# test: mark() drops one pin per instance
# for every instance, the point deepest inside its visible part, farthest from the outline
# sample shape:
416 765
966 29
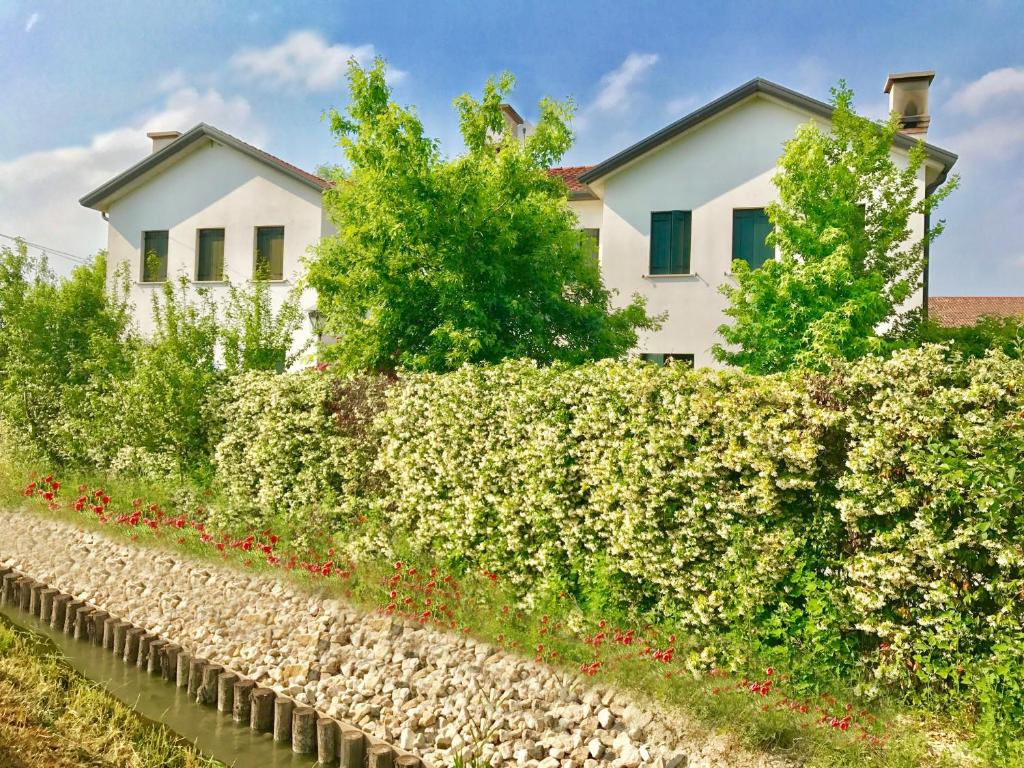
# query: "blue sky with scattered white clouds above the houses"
81 83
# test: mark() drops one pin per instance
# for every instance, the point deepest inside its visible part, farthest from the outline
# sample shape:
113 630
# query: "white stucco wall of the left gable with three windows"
216 187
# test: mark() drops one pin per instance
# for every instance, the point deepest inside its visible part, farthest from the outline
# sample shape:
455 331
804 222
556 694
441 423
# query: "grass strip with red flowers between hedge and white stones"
780 722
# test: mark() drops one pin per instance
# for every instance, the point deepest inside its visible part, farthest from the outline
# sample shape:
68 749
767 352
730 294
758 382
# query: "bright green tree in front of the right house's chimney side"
842 226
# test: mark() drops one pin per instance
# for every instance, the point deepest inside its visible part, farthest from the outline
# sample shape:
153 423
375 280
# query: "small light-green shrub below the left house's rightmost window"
254 336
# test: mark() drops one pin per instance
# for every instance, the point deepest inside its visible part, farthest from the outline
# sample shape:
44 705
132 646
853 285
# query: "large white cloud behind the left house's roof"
39 192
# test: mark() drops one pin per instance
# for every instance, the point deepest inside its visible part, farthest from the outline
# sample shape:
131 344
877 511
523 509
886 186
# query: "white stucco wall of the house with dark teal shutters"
723 164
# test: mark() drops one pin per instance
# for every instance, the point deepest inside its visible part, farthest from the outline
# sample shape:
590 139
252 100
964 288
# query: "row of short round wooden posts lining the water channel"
333 743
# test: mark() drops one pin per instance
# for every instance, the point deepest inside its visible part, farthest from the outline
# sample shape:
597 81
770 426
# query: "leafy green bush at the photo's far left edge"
61 343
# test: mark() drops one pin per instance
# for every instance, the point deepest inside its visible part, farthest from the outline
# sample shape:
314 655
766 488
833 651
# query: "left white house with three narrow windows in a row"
216 209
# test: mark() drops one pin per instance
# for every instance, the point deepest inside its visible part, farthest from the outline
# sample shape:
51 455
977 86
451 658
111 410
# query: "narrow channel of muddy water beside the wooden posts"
214 734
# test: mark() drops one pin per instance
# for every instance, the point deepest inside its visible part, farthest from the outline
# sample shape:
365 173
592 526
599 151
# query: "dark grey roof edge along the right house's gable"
757 87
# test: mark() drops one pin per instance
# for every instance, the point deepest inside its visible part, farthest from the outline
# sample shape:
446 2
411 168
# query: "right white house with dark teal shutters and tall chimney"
672 211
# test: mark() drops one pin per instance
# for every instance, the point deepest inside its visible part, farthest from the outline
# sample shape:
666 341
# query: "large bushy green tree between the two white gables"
440 262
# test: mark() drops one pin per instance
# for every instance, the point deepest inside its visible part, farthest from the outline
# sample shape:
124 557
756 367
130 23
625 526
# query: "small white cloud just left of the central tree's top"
306 60
